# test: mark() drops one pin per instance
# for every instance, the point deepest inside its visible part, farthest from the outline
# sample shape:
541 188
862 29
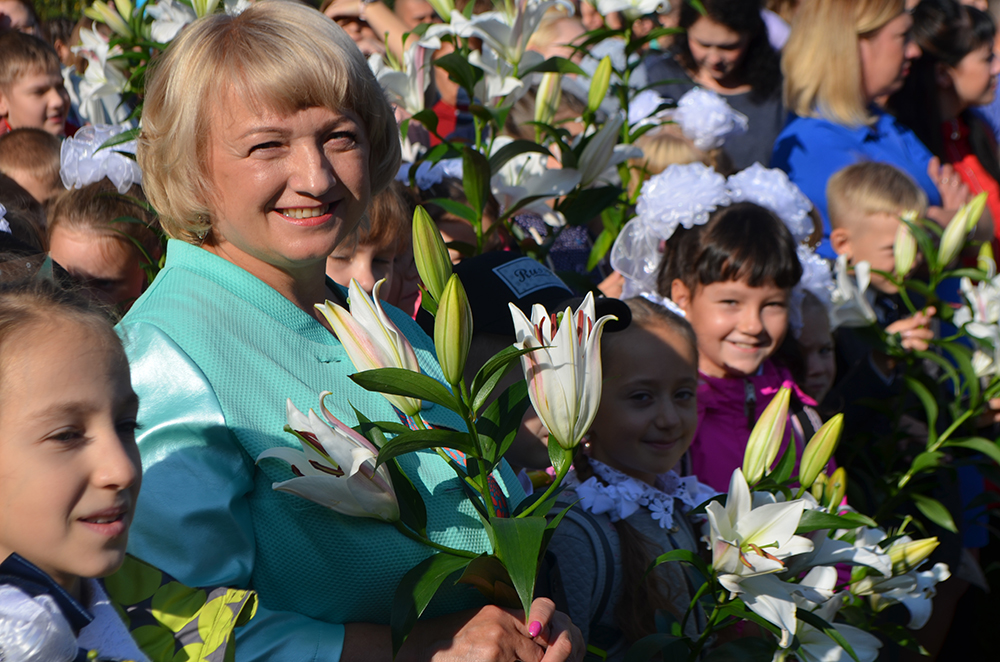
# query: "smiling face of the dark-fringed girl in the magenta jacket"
738 326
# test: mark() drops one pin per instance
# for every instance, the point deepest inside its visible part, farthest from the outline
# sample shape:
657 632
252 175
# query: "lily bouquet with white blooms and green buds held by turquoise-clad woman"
354 470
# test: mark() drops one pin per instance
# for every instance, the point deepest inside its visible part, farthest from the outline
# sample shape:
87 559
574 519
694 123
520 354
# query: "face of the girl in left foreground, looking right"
69 466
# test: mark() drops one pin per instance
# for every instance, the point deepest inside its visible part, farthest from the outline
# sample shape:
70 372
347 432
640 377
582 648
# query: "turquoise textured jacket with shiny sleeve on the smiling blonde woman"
214 353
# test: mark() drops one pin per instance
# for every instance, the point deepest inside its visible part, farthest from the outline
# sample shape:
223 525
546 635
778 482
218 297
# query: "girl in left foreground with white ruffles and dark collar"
69 476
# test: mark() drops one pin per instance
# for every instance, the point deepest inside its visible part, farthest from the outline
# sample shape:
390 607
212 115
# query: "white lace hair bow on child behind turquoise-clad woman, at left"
82 161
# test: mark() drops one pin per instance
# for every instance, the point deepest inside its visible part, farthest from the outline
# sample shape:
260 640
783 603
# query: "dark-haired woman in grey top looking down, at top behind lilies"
727 51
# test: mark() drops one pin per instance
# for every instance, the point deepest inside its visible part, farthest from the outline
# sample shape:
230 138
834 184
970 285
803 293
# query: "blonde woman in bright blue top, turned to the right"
843 56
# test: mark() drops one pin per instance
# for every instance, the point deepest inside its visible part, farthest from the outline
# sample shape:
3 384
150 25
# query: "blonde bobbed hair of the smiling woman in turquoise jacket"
277 55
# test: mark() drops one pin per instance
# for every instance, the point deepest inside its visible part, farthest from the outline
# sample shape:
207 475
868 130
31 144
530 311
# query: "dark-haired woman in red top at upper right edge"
956 72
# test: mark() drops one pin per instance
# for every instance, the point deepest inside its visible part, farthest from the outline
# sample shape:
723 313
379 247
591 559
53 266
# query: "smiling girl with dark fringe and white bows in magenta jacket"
732 276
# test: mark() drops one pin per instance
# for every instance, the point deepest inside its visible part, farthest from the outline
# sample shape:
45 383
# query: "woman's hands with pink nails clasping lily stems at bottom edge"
489 634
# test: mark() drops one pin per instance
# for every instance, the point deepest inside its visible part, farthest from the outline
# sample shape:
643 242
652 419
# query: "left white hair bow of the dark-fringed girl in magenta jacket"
680 196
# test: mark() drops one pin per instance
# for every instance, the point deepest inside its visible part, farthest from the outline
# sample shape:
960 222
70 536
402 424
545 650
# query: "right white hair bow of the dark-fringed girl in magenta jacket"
770 188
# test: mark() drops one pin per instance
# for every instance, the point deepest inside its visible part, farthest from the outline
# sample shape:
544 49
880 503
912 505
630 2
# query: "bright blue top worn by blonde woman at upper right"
811 150
